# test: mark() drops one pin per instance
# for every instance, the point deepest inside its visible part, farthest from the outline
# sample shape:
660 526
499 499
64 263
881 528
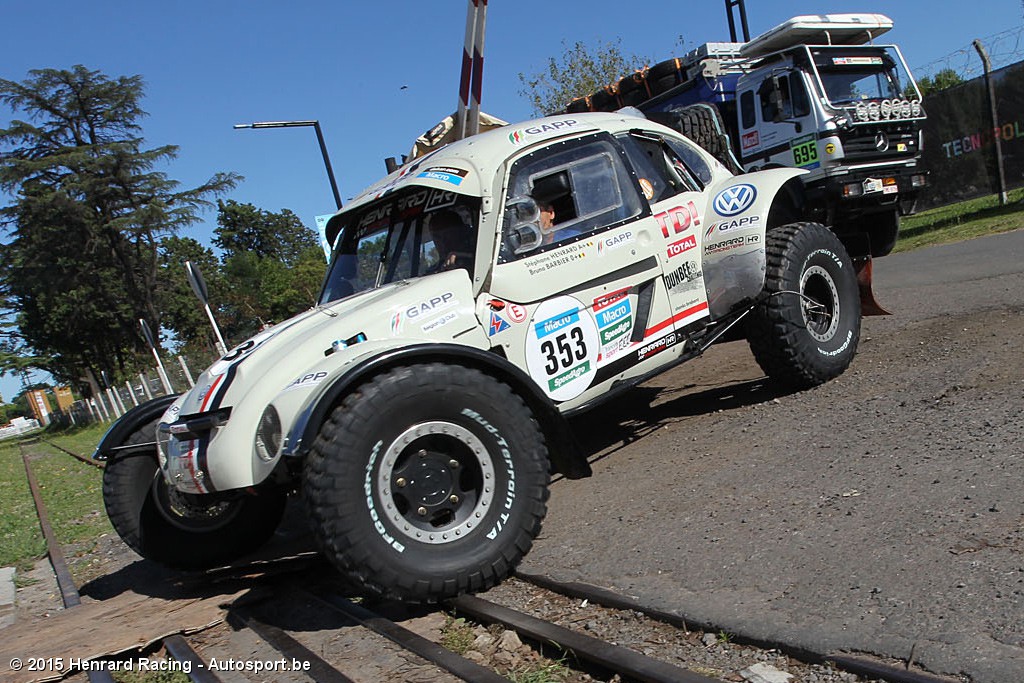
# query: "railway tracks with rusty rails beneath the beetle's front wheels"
297 623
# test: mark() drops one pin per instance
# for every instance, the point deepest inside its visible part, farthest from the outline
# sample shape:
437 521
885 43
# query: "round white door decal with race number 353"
563 348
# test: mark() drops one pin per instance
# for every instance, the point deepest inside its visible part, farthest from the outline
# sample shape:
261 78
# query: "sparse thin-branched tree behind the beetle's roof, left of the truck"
577 73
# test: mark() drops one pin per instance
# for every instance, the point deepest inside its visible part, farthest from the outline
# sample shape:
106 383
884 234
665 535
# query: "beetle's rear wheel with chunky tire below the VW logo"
806 330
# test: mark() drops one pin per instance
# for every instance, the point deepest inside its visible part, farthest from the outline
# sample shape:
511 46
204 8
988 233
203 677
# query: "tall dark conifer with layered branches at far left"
81 266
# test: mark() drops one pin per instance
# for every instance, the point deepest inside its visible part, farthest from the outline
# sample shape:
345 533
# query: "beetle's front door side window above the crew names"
580 187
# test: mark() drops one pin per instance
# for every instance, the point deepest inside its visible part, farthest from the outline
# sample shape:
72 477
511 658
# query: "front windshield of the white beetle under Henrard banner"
414 233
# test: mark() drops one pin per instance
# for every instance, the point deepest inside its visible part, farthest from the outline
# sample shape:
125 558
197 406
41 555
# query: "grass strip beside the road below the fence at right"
964 221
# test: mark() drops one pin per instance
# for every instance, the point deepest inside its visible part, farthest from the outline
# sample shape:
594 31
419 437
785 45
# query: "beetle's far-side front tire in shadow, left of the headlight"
183 531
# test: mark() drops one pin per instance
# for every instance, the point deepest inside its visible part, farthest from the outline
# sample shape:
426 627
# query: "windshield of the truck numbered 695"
855 75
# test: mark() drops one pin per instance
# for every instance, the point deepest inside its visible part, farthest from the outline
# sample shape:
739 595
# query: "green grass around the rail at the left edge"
71 491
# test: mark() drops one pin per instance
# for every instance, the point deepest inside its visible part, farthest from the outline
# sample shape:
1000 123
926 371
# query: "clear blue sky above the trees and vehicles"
215 64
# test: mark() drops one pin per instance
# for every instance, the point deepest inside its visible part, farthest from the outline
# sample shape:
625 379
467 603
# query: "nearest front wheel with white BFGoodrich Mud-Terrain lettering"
429 482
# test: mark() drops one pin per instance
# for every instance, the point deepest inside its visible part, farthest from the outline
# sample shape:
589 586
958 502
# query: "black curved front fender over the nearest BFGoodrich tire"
566 454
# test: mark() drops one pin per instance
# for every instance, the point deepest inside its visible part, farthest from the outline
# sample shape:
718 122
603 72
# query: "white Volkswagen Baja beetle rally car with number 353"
419 408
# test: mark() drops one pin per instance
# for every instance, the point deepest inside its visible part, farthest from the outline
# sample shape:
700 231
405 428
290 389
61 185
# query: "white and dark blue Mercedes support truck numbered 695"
815 93
